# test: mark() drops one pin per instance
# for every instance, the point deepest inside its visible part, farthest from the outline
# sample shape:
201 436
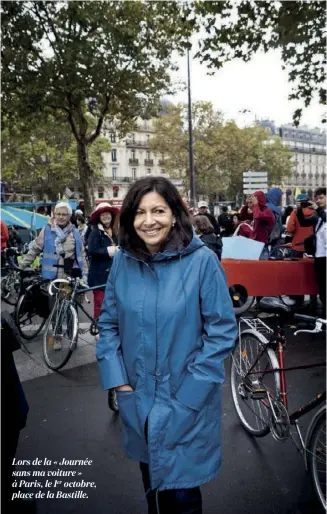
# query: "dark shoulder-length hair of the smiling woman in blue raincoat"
181 233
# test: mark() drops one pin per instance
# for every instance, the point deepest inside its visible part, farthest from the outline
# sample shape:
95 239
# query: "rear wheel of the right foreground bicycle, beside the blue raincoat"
250 391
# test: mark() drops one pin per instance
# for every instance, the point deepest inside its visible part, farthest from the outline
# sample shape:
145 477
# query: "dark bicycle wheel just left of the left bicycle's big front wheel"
28 321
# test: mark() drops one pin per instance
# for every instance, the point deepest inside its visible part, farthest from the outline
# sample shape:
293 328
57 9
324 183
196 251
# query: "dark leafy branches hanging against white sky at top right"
297 28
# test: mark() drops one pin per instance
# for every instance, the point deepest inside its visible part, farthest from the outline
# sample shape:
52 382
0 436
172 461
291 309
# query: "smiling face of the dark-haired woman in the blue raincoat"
153 221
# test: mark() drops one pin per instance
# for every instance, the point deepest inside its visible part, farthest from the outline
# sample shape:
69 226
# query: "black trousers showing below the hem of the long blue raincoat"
173 501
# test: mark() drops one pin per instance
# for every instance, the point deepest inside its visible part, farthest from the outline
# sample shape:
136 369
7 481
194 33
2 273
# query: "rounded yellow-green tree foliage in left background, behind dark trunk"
40 153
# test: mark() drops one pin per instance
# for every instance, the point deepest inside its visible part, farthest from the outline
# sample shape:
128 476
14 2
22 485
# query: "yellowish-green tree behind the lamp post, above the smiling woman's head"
222 150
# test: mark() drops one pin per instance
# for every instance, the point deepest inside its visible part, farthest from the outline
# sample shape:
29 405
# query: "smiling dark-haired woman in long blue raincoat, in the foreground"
166 327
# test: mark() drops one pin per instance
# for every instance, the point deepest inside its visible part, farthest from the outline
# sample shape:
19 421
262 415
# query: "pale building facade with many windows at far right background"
308 147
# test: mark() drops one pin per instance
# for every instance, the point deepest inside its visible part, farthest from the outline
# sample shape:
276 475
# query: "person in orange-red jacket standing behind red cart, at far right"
294 228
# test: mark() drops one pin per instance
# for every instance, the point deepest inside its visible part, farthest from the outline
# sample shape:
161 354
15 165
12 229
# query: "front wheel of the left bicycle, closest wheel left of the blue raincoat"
60 335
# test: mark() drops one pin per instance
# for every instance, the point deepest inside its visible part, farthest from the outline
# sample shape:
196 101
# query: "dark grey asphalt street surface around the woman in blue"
69 418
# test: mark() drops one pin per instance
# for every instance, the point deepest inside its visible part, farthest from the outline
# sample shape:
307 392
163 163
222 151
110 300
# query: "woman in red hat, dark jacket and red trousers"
102 246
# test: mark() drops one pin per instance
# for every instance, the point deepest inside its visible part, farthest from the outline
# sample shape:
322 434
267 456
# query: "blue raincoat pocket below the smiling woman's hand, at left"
132 431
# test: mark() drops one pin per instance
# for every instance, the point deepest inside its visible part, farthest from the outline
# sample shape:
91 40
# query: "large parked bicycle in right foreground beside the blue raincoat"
259 390
